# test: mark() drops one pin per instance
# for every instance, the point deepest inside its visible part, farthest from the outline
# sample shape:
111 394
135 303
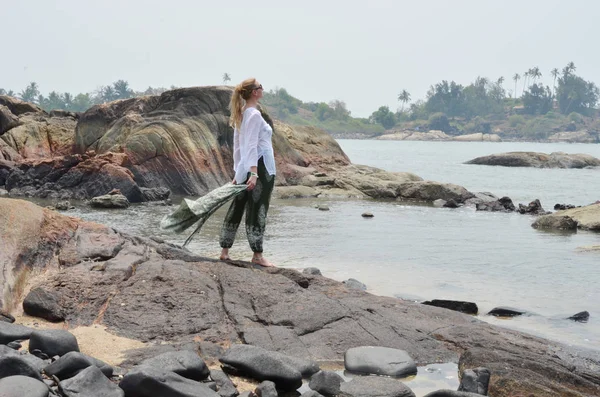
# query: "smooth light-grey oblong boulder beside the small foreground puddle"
379 361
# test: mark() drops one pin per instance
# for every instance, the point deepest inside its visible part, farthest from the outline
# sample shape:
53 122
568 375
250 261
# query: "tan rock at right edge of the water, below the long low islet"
587 218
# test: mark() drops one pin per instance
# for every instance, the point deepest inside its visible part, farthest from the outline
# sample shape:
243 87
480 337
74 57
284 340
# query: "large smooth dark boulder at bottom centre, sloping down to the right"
261 364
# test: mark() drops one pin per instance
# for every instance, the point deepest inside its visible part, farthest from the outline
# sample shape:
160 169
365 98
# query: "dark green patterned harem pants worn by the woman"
256 204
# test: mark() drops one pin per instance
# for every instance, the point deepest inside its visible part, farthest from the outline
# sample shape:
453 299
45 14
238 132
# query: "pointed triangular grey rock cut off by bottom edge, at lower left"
90 382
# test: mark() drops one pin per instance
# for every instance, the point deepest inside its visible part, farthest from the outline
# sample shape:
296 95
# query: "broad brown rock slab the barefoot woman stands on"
151 290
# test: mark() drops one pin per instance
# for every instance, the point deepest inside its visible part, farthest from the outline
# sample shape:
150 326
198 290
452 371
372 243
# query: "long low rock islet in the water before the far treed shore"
538 160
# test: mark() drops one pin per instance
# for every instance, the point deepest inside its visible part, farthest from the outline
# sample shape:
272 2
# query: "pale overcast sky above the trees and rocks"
361 52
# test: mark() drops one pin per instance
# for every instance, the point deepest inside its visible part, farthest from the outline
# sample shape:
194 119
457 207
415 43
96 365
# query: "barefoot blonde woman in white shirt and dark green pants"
254 165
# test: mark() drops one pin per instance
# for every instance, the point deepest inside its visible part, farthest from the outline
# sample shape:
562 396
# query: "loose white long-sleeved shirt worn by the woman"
250 143
